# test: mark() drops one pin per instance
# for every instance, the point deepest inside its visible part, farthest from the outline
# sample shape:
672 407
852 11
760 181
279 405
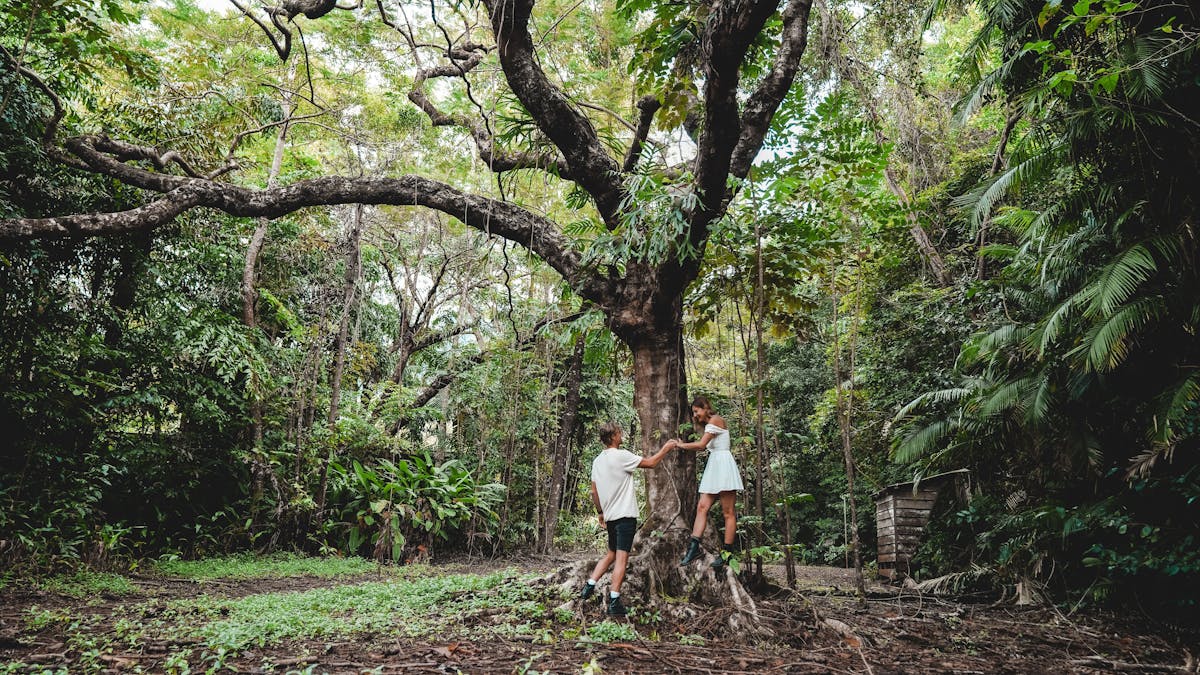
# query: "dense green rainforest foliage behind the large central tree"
970 242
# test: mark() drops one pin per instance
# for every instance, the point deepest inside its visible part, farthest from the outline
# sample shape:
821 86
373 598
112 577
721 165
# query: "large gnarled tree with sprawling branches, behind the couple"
718 68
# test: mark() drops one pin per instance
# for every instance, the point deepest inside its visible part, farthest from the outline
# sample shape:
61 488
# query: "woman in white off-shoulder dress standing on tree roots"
722 480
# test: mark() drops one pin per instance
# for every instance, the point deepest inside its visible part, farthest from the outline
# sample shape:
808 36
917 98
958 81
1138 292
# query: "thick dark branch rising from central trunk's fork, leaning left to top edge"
568 129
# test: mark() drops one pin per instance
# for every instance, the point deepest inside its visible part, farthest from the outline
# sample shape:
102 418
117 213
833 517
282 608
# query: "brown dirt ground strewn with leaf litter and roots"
819 629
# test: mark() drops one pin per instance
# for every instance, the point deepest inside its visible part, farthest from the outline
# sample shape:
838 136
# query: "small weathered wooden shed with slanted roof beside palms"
902 513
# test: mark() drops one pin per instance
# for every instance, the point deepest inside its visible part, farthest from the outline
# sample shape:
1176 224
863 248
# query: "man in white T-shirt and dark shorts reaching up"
613 493
